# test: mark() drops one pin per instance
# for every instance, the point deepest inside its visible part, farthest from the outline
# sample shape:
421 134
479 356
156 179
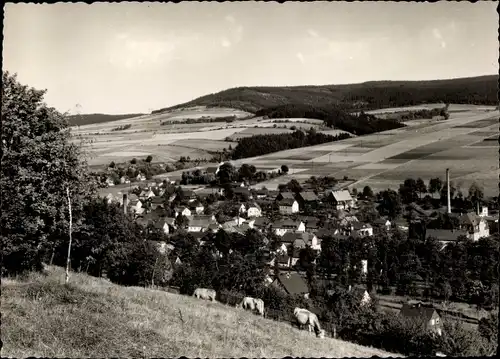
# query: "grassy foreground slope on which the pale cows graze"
95 318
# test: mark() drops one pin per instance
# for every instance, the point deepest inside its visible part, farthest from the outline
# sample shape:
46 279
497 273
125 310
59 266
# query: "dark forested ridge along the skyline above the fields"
363 96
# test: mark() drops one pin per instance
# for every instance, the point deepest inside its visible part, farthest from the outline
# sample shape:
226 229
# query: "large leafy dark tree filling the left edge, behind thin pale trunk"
39 164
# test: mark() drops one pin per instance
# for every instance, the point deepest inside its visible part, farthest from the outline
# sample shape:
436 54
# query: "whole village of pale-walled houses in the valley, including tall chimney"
300 216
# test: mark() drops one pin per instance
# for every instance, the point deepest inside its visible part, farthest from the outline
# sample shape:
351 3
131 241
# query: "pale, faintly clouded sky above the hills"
137 57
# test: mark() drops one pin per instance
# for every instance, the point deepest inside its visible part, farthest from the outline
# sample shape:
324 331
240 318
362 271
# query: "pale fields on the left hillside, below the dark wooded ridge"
167 142
